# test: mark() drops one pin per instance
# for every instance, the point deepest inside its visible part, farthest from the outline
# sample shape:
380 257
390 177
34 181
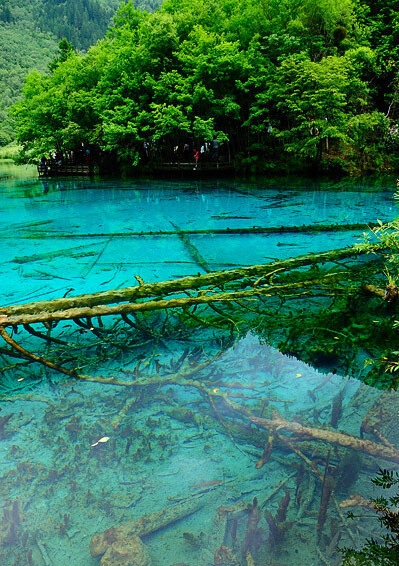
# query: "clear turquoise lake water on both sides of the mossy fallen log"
171 447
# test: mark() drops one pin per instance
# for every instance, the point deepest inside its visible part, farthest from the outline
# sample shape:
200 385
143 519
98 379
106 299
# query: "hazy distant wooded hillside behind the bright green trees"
29 34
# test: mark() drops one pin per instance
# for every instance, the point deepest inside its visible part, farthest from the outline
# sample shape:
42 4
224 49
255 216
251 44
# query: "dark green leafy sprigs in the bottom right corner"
384 552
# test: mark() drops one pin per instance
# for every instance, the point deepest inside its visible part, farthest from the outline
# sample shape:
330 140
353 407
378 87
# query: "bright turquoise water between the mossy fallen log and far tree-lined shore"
84 235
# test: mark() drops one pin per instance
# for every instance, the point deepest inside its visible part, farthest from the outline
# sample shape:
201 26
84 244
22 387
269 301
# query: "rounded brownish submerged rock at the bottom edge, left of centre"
131 552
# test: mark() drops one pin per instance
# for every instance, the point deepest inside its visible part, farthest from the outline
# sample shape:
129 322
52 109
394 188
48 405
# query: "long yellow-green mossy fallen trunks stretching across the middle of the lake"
121 301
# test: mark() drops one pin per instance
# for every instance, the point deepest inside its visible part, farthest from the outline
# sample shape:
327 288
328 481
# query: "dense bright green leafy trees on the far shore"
282 85
